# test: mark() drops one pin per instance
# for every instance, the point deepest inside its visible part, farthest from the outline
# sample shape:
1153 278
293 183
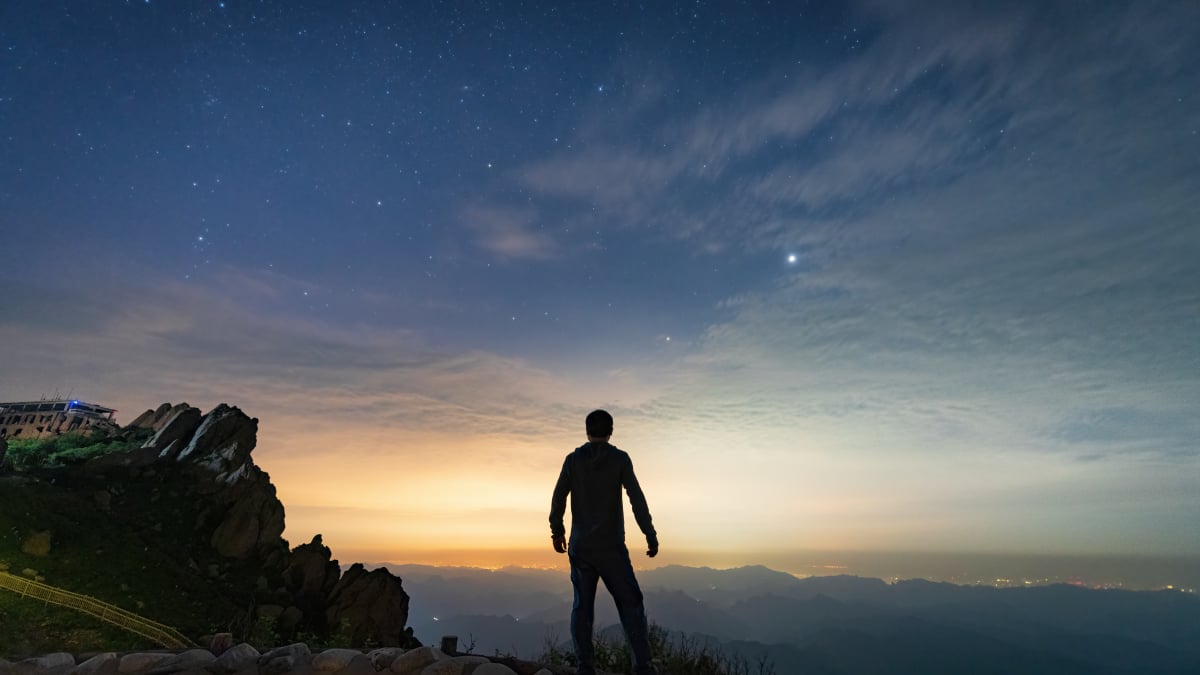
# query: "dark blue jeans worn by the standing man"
615 568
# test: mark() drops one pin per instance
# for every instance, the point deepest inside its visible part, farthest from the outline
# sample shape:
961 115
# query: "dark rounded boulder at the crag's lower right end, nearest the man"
374 605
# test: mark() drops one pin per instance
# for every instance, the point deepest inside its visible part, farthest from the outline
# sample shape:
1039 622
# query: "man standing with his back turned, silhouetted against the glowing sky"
595 475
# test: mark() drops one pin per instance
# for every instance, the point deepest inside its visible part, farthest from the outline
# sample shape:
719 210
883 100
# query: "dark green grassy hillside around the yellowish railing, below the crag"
70 541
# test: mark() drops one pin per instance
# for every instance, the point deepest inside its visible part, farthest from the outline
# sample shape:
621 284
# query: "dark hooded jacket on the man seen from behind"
595 475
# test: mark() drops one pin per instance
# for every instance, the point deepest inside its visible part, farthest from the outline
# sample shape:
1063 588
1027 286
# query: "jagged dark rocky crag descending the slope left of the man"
202 463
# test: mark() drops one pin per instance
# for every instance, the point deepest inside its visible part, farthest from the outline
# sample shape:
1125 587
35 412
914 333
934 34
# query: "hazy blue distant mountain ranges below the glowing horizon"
836 625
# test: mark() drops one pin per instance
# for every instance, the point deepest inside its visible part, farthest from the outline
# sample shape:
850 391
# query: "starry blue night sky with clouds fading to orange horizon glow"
849 277
